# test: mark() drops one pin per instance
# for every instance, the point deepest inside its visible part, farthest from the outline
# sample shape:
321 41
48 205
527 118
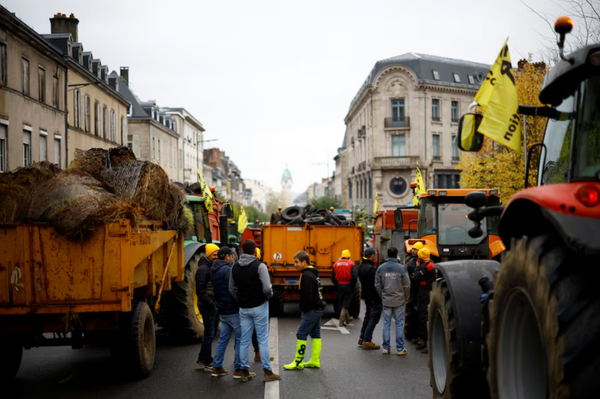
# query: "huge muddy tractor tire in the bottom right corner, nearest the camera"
544 339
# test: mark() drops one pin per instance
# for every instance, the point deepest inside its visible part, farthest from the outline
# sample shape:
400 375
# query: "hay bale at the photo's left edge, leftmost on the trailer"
16 188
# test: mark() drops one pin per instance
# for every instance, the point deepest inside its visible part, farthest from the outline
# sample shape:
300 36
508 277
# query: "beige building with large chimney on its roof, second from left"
97 113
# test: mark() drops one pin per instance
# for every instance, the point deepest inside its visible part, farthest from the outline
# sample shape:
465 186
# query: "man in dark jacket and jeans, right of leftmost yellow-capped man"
229 313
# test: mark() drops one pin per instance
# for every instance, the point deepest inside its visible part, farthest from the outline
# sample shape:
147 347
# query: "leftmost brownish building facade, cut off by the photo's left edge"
33 74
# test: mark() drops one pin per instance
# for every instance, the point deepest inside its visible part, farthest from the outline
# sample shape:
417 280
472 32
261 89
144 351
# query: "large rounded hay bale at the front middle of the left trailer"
75 203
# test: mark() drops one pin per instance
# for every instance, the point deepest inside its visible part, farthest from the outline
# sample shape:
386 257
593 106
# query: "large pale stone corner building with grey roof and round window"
406 113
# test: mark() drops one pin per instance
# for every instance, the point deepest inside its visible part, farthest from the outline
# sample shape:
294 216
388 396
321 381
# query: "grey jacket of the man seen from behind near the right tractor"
392 283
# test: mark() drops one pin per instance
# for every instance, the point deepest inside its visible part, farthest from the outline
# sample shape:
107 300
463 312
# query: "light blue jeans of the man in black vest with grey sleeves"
250 319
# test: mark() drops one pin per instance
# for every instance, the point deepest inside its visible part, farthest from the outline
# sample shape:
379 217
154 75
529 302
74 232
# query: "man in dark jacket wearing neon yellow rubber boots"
312 306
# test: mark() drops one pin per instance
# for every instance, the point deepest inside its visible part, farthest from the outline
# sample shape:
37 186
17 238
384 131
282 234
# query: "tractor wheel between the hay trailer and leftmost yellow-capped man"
180 305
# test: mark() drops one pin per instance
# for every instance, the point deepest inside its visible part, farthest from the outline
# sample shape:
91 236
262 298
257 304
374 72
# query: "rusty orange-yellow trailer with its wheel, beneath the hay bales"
104 290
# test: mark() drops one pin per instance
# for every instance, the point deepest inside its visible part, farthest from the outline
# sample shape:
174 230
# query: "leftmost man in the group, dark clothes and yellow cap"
206 305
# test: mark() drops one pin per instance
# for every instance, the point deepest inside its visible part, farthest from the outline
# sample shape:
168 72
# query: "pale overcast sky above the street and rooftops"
272 80
